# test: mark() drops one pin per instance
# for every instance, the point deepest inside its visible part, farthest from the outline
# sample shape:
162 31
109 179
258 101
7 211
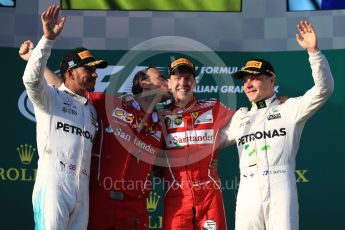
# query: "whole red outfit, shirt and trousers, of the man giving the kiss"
121 163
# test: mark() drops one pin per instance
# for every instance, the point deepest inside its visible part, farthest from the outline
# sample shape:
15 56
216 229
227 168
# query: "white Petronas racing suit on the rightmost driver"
267 139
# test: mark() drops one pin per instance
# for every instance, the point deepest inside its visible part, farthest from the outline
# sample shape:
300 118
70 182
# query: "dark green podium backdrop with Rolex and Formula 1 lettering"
320 159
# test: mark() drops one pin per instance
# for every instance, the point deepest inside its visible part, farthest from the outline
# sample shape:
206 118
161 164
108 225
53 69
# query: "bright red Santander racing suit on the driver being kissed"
193 198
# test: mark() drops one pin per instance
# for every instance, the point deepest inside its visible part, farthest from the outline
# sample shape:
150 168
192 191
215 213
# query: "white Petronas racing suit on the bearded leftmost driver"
66 126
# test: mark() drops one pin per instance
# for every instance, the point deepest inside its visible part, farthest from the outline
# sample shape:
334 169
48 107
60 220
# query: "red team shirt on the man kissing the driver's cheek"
122 155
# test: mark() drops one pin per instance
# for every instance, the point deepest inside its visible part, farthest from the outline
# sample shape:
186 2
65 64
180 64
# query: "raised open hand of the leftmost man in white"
51 24
